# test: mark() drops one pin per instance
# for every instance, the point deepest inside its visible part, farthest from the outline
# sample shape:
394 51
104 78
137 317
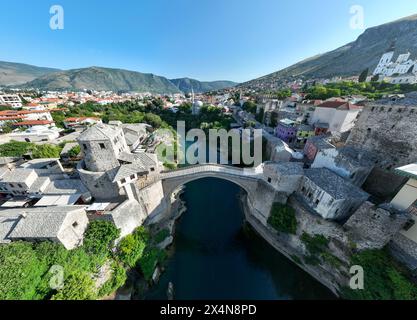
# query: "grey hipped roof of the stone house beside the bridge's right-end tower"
333 184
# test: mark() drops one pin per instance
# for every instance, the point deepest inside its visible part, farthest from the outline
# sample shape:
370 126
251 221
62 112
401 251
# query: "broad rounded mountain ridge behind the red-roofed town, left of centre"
97 78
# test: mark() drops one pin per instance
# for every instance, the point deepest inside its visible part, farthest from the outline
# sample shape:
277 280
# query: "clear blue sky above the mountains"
204 39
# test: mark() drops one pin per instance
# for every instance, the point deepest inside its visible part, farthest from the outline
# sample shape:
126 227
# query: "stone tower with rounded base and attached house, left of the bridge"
109 169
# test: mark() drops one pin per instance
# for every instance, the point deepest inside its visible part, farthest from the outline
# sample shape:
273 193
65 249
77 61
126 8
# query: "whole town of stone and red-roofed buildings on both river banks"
346 163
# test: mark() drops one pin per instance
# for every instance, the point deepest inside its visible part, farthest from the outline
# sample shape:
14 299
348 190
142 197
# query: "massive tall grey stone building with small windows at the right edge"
388 129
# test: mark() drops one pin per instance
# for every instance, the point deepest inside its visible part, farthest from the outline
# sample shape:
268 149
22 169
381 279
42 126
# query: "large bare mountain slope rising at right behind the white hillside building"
352 58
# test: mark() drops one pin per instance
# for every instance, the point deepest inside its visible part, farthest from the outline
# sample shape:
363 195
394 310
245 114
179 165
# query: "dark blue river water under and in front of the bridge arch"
217 256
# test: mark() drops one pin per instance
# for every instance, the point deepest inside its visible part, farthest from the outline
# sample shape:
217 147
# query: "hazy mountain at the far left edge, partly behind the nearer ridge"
18 73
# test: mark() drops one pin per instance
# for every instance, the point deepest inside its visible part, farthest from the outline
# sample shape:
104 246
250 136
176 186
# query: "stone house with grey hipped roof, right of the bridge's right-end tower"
329 195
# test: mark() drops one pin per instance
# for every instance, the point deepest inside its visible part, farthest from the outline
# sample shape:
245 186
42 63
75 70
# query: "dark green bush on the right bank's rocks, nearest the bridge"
283 218
